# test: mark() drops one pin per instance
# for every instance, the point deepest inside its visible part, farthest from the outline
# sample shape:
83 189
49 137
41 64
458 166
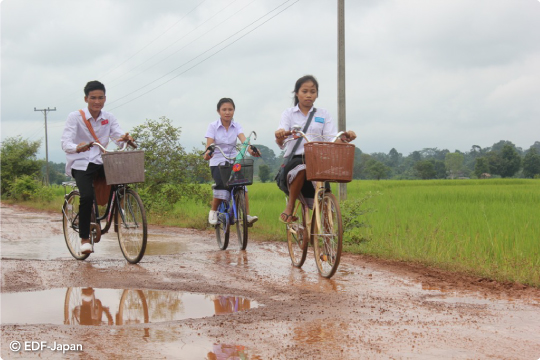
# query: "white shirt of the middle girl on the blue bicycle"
226 139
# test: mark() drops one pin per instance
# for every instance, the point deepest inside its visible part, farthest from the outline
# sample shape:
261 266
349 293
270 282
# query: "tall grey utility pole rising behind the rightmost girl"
342 123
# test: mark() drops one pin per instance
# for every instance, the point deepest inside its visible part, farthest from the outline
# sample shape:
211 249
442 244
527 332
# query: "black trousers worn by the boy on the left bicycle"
84 180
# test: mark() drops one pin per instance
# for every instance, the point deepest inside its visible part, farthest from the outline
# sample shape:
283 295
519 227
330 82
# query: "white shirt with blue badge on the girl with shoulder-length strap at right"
321 124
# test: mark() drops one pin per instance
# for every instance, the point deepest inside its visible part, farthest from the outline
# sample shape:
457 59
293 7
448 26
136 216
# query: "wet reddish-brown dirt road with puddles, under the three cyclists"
189 300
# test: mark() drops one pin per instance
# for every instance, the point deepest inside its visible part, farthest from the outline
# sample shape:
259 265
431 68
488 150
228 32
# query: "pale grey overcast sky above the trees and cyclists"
419 73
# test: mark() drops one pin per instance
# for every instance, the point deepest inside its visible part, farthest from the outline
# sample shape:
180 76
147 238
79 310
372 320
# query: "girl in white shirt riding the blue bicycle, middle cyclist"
224 132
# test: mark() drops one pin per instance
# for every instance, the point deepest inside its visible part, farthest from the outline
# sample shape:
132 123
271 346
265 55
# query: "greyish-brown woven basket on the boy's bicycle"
124 167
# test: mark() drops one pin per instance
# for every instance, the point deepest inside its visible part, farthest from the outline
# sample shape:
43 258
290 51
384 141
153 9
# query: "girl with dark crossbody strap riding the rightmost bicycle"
306 91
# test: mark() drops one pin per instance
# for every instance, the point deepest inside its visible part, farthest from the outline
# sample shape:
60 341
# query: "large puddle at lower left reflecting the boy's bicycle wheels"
90 306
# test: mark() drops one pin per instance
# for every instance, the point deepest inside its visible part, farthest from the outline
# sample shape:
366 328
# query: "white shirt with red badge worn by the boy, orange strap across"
75 132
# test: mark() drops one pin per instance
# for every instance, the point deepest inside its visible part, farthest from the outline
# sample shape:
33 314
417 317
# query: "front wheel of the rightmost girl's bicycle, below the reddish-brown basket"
327 240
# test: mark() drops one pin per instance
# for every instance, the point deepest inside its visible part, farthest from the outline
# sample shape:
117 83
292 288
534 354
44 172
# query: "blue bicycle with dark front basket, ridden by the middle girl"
236 176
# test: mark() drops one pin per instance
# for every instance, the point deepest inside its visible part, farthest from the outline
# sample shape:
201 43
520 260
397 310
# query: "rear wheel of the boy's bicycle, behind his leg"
70 220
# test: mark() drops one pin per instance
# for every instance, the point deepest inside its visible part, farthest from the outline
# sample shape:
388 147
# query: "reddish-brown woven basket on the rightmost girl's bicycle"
327 161
